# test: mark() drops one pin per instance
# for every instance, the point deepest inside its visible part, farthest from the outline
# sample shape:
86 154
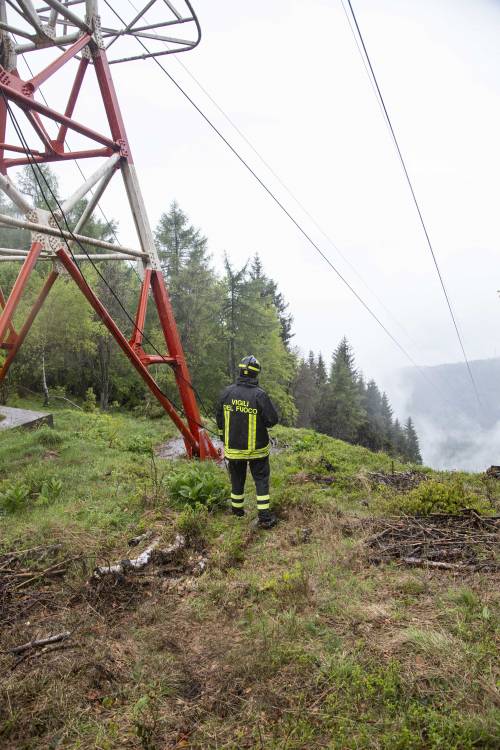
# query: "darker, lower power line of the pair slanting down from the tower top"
279 204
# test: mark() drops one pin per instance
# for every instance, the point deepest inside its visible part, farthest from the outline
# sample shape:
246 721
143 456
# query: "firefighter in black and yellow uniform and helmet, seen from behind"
244 414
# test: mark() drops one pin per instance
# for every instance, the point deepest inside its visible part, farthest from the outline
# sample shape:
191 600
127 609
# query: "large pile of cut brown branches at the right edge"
440 541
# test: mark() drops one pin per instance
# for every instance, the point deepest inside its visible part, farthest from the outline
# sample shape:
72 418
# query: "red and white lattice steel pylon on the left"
72 34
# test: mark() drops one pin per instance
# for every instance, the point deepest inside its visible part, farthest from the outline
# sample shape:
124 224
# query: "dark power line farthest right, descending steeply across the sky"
417 206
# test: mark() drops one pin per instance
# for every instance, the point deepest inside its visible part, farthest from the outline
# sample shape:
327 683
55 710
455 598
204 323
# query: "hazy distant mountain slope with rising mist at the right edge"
454 430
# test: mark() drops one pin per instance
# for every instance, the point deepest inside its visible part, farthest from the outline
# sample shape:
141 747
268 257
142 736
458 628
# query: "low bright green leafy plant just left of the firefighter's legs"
198 484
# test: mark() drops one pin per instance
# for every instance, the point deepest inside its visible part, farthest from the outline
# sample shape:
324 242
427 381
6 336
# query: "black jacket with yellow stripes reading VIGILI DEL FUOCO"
244 414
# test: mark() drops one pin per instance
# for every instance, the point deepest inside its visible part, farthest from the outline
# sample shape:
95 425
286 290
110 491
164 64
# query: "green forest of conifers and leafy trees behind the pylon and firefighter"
221 317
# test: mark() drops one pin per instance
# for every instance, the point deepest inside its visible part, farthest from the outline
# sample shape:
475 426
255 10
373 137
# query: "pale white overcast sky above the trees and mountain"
290 76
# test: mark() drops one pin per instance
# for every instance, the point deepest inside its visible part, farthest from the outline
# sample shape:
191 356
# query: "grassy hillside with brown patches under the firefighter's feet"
290 639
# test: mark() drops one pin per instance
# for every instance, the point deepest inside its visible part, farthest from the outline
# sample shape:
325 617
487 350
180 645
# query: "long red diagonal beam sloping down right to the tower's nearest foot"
189 437
